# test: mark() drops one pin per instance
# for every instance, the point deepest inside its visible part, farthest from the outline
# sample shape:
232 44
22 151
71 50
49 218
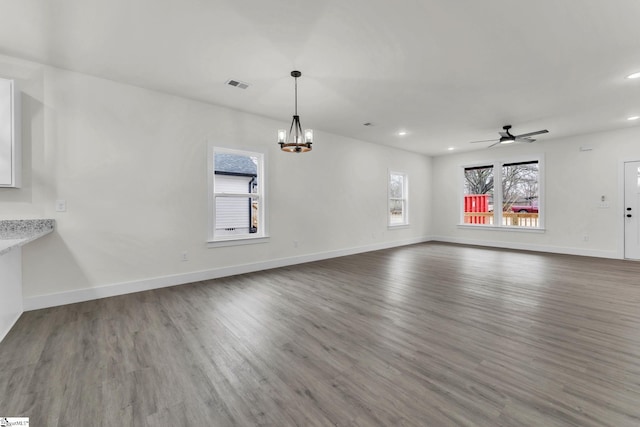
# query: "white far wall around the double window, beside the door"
575 181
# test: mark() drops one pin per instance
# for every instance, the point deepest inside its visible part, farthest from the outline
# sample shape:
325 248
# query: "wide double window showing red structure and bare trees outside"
515 202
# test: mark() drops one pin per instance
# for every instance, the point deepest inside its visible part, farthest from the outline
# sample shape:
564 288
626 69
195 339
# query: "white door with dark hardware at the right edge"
632 210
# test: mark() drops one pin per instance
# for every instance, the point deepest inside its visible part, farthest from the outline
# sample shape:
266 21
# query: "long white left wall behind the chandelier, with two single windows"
131 164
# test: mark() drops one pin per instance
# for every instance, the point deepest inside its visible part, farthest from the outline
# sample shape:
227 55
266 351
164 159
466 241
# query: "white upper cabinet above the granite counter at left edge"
10 159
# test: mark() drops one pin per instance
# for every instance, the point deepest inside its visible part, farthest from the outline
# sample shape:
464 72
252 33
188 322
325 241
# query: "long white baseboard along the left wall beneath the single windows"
70 297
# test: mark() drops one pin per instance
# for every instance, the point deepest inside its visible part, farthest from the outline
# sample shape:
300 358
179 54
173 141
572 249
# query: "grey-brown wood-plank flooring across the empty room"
423 335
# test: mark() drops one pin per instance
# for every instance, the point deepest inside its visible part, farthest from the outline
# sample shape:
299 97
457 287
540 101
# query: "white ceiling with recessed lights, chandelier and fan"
447 71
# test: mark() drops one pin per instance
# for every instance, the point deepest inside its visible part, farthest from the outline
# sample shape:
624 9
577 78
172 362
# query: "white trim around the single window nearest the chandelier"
262 235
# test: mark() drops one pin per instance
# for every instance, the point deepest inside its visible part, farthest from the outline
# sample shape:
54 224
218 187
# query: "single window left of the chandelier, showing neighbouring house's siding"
236 195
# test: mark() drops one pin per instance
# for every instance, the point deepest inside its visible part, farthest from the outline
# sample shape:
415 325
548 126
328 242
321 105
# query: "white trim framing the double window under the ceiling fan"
497 196
